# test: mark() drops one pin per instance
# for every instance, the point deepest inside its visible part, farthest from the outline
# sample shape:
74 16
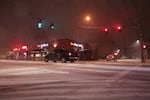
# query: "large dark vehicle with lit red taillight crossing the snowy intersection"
61 55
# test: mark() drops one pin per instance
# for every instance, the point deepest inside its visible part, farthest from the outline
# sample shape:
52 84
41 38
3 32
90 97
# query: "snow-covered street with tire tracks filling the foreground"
57 81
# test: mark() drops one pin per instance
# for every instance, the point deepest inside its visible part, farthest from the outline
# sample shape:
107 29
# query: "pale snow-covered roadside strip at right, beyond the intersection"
124 62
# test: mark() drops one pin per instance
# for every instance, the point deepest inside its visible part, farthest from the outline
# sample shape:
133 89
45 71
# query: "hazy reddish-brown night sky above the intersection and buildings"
19 19
